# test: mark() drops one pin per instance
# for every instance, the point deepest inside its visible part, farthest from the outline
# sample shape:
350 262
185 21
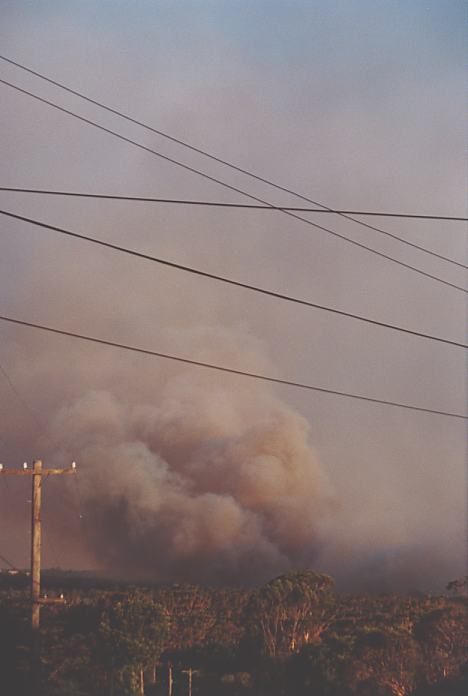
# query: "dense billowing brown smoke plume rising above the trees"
204 482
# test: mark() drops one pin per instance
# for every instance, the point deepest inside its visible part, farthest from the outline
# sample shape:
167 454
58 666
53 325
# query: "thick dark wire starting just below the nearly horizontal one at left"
229 281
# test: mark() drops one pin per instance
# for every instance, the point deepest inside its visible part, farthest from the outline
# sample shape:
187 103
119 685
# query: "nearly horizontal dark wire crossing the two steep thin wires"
220 204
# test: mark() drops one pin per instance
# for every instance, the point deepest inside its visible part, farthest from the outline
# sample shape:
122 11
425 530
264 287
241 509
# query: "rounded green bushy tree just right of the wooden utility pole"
132 633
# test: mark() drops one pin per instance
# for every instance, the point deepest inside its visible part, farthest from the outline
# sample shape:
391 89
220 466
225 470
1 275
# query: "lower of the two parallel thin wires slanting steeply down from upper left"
213 179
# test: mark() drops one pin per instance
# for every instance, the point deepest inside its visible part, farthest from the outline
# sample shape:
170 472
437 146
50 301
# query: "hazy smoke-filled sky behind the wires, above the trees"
186 474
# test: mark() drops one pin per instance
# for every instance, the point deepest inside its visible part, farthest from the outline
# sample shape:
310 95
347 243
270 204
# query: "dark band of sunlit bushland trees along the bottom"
293 636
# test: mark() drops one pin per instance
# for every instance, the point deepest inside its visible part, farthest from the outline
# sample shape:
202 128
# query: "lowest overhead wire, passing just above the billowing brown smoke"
229 370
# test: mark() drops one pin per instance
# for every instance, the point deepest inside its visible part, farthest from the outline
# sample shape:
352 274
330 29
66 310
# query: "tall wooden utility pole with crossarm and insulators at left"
37 472
